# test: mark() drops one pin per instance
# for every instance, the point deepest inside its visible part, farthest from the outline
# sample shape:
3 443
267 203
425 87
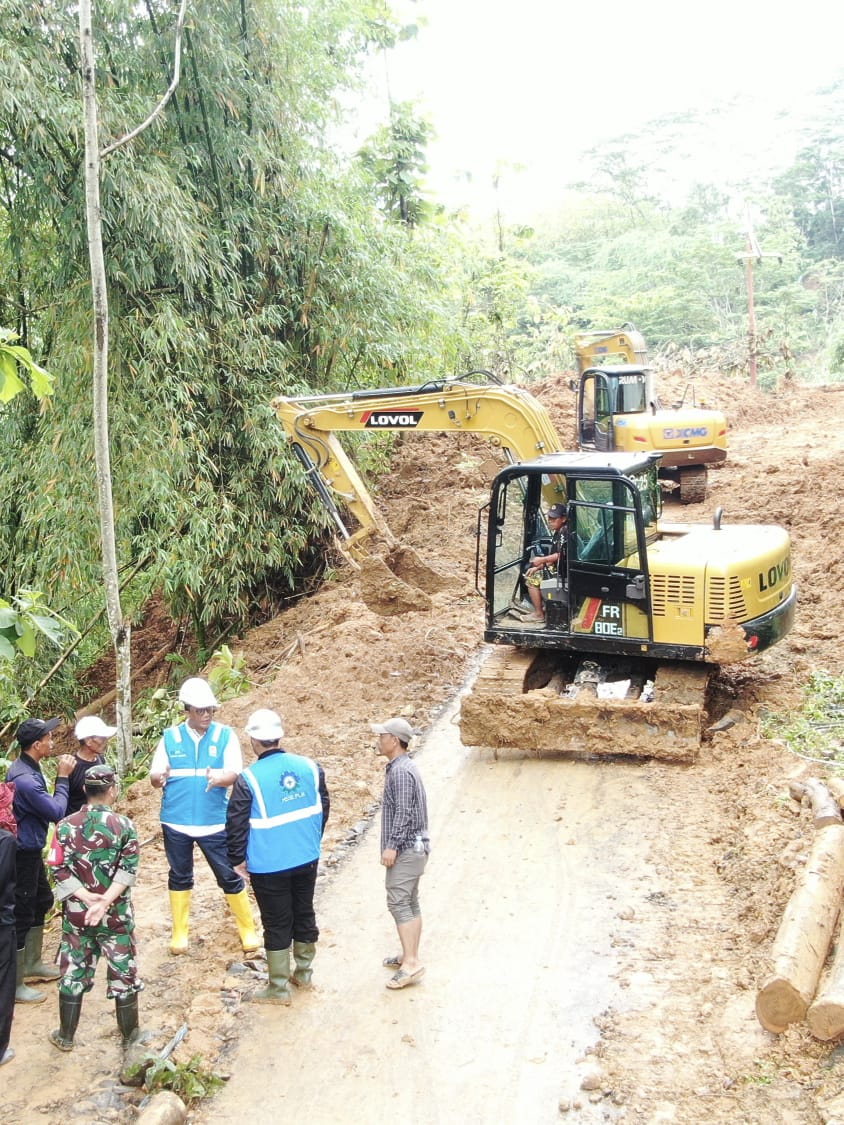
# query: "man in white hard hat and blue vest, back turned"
277 816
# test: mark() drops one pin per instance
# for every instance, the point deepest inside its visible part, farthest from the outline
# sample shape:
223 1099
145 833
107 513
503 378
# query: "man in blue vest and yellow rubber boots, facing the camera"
195 764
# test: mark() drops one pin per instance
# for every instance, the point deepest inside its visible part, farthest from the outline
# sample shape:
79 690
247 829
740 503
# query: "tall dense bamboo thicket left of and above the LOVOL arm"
245 260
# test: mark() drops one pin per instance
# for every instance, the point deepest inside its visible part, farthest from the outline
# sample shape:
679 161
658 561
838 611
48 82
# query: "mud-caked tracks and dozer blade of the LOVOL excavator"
518 703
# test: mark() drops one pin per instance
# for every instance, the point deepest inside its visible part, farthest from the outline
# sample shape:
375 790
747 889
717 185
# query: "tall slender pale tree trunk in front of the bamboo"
118 627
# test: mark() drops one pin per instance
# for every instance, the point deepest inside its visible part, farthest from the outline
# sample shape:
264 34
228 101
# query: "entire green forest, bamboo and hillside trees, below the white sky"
249 256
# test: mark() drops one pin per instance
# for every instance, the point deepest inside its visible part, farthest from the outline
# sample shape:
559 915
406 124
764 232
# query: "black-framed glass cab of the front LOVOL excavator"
599 598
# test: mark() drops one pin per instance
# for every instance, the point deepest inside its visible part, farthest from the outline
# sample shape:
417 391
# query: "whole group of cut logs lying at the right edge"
791 993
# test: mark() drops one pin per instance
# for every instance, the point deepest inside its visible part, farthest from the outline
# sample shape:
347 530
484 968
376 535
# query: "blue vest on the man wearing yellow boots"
186 800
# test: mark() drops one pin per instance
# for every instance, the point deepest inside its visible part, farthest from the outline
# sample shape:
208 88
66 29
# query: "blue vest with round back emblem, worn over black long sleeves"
285 823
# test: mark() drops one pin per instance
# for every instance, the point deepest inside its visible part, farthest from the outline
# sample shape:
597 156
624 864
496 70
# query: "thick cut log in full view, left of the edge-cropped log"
805 934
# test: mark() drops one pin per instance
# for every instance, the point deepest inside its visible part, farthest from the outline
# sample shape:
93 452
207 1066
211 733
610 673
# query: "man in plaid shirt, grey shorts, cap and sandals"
405 848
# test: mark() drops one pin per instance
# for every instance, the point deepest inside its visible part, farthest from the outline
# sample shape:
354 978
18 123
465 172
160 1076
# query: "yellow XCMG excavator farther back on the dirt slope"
618 410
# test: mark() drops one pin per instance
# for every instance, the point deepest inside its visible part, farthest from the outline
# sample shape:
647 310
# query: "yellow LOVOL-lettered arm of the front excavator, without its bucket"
508 416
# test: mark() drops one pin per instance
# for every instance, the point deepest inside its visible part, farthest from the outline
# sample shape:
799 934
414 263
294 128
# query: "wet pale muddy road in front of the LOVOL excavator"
522 905
